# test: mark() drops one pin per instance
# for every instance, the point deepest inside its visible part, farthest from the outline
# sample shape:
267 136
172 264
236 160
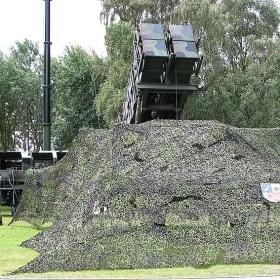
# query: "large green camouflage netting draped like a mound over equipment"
158 194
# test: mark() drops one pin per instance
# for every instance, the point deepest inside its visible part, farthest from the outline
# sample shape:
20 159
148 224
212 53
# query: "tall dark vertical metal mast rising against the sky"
47 79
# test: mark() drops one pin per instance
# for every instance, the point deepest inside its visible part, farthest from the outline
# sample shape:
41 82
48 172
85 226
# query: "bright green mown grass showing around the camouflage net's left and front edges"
12 257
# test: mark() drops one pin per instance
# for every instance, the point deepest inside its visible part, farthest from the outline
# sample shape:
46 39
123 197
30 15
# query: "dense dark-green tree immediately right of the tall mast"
77 77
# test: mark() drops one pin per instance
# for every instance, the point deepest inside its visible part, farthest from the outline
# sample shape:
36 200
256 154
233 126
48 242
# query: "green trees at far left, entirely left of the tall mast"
20 114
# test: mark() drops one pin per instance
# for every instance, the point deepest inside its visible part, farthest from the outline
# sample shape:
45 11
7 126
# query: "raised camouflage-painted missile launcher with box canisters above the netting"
160 79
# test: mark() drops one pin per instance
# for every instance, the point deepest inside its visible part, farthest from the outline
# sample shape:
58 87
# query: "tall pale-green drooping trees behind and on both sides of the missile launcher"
240 45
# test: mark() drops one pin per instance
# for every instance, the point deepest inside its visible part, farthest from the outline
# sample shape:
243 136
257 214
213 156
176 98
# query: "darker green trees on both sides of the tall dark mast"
76 81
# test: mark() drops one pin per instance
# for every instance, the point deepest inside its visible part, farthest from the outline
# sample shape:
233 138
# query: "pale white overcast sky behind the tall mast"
74 22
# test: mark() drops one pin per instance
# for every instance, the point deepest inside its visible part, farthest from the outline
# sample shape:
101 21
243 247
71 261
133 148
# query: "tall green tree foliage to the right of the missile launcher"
234 92
